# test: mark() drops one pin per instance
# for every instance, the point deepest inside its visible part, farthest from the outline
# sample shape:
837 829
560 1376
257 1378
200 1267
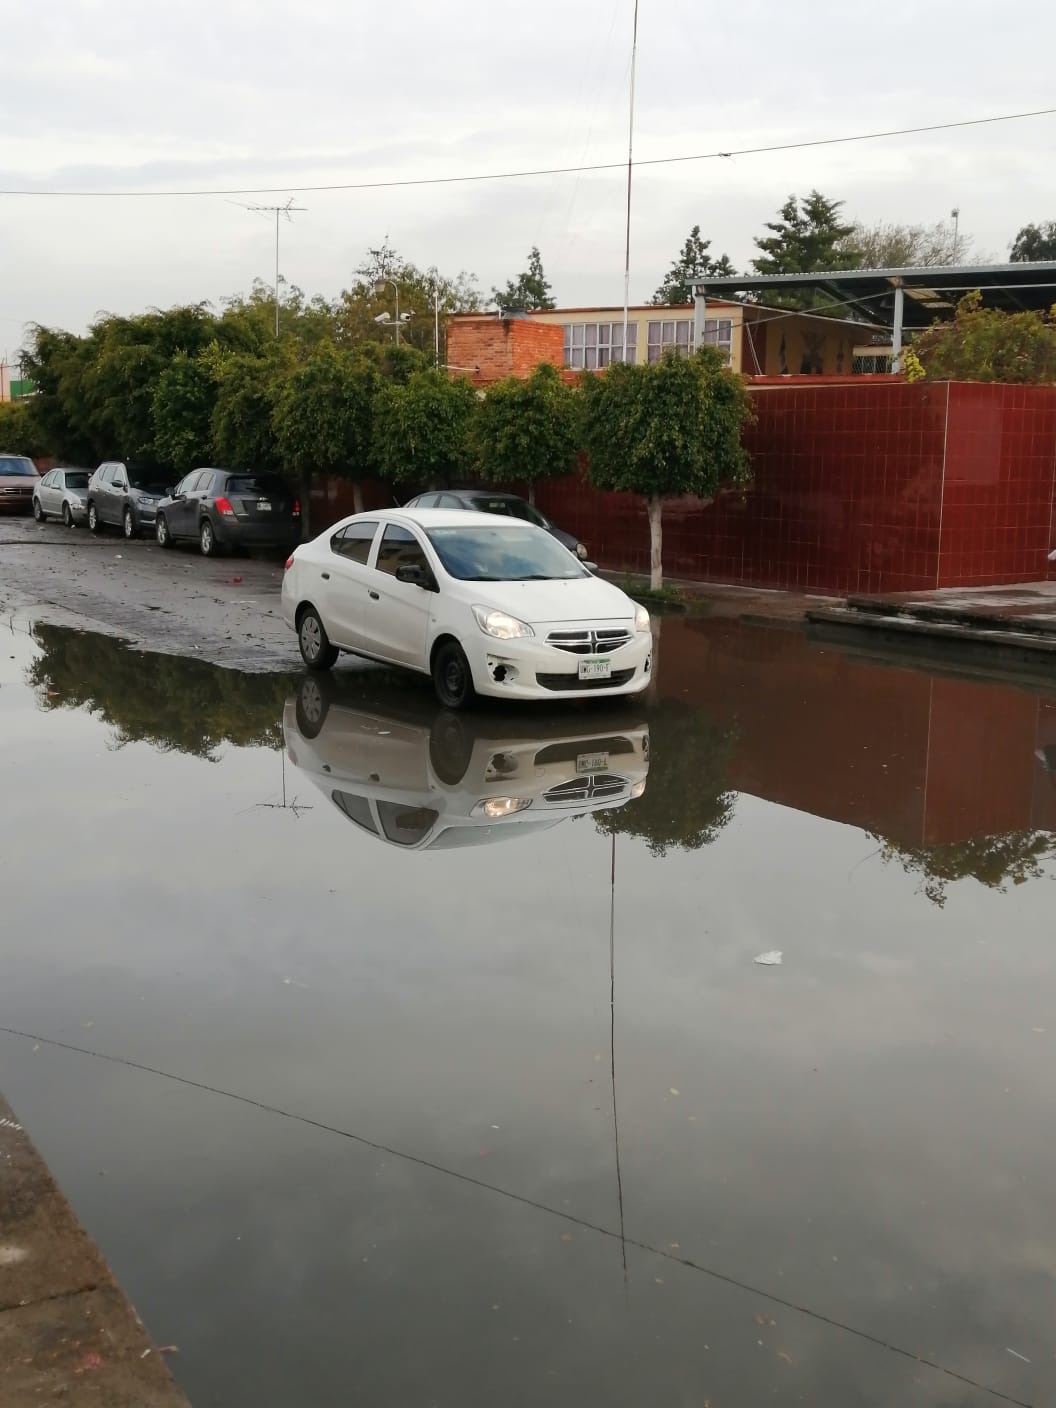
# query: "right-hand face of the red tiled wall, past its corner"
998 505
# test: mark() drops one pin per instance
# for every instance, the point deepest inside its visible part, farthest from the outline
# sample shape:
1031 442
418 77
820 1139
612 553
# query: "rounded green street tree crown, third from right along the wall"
422 429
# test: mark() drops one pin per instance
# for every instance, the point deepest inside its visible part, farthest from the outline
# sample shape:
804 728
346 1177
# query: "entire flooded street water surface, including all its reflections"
403 1058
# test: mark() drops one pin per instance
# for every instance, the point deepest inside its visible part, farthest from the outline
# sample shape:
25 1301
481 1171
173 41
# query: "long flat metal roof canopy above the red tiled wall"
926 295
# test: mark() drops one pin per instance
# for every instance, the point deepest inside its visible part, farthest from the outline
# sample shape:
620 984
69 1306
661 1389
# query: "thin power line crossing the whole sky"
541 171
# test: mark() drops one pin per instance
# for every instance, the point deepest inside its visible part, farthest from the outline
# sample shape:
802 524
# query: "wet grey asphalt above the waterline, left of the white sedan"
223 610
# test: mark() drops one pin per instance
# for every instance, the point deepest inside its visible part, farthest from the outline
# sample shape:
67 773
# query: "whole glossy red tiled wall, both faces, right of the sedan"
848 494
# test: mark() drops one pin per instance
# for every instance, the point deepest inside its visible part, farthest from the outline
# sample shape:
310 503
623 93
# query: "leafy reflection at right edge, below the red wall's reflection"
1009 858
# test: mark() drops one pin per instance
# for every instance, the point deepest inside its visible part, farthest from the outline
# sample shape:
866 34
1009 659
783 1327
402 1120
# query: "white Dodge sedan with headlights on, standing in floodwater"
484 608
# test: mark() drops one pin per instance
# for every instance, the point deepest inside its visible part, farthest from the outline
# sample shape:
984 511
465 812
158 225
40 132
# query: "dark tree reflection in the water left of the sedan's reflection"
165 700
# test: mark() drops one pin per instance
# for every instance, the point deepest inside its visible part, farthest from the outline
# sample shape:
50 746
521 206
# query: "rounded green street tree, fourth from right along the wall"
325 419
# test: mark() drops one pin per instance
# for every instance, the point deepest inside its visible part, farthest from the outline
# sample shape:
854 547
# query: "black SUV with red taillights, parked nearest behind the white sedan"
225 509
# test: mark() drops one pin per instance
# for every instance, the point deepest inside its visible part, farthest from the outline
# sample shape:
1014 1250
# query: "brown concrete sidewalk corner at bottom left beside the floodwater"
67 1330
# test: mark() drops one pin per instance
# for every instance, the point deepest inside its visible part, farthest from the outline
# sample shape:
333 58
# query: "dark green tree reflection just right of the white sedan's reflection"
686 800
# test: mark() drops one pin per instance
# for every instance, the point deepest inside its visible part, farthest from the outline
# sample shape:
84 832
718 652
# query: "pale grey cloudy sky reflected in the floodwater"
862 1131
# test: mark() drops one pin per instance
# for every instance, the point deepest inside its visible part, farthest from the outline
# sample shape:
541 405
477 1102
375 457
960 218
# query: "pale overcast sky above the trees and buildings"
103 95
